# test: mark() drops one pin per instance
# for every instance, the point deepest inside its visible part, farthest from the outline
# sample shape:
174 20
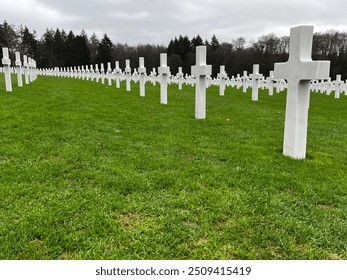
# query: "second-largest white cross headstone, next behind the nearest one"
200 71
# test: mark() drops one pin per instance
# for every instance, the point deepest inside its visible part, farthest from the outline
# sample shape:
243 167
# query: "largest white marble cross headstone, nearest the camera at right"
298 71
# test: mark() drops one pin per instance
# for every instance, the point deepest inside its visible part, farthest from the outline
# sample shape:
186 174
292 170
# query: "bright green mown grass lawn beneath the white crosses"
91 172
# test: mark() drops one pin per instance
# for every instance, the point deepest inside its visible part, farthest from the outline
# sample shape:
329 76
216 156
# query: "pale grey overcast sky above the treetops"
157 21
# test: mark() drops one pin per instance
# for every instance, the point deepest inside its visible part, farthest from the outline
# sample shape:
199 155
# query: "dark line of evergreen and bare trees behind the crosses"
58 48
